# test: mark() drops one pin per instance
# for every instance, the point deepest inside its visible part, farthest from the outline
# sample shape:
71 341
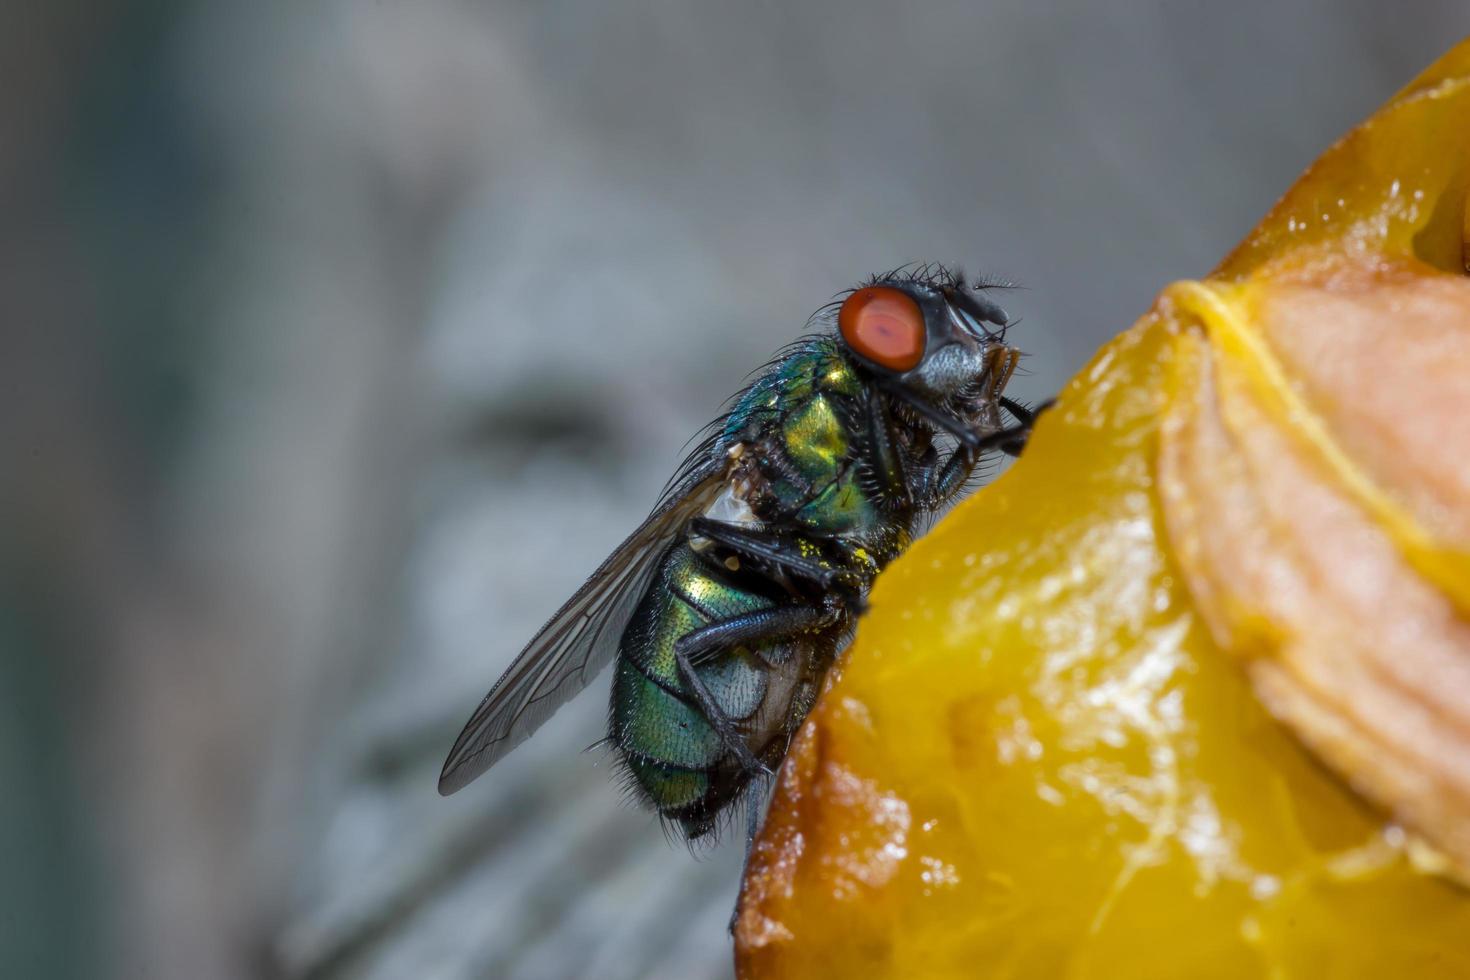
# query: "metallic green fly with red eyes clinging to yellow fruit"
727 606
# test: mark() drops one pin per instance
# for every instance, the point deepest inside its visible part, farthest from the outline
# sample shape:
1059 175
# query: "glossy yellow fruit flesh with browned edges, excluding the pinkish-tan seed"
1037 762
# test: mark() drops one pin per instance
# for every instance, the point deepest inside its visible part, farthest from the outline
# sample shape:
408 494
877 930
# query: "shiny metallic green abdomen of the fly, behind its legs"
675 757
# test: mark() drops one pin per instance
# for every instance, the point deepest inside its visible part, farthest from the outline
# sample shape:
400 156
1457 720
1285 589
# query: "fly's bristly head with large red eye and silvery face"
933 342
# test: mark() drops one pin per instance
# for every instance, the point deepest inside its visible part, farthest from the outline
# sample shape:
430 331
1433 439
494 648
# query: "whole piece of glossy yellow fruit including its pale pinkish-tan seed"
1069 743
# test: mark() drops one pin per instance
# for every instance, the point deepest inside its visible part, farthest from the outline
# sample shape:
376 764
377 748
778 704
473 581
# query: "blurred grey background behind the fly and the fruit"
343 339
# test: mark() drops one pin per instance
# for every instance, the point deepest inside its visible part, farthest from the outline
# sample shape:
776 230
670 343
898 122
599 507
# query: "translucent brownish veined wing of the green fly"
583 635
